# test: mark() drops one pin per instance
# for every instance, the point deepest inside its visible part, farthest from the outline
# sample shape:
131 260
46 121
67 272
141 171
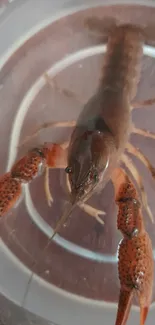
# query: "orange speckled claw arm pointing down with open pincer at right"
135 257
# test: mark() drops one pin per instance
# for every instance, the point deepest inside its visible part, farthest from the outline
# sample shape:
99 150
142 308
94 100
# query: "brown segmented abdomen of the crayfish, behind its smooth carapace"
121 69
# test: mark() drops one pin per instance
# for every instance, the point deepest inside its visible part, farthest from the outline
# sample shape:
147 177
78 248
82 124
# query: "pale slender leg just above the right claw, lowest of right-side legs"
133 170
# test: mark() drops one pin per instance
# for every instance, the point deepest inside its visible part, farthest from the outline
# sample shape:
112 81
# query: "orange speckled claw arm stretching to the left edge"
25 170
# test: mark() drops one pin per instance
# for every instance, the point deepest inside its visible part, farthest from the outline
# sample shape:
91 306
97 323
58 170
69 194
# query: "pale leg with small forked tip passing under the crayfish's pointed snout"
93 212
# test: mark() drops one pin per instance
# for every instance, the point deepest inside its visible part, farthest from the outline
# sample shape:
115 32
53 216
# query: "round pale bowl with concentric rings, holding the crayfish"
76 277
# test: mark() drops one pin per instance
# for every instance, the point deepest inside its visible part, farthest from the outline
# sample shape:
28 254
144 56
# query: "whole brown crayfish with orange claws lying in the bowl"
95 150
